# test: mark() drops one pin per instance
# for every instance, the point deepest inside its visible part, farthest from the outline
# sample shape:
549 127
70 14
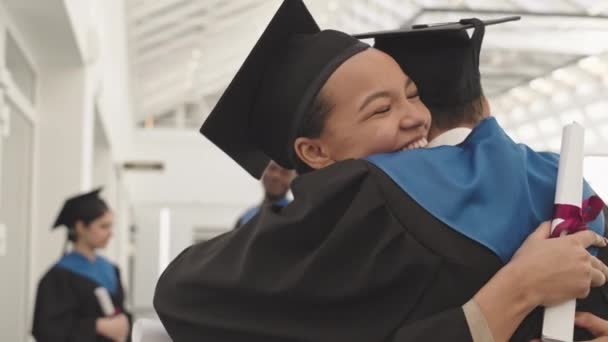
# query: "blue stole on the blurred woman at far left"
100 271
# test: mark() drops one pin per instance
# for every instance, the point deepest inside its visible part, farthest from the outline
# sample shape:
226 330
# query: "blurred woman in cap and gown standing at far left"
68 303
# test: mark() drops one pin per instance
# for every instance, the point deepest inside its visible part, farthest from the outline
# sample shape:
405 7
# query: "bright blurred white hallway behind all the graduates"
112 92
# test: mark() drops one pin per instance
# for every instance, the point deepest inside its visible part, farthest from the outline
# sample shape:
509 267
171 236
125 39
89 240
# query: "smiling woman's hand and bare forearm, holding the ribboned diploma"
543 271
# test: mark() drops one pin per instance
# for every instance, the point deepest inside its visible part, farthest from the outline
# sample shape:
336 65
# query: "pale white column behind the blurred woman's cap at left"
61 156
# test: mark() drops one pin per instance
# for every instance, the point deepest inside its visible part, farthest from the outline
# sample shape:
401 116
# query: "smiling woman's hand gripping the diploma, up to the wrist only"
554 270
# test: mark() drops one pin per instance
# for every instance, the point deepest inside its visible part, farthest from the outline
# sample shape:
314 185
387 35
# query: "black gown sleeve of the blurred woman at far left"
55 313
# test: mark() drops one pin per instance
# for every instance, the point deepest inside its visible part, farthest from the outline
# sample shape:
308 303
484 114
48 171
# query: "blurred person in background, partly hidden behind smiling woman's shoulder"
276 181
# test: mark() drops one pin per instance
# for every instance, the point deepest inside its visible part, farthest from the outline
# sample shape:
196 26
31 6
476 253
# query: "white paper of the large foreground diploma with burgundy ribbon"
558 321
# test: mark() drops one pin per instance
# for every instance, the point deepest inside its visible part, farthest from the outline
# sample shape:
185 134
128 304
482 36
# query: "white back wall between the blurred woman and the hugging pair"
200 186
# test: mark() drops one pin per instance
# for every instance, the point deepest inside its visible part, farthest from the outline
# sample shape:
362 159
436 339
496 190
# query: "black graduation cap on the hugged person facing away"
441 59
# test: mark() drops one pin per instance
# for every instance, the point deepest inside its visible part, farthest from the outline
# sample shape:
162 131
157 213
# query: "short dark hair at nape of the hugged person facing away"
453 116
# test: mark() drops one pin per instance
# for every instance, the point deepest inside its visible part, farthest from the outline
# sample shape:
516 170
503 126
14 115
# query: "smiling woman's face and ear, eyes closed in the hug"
375 108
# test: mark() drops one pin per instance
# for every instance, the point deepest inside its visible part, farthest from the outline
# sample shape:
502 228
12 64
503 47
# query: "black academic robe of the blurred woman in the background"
67 308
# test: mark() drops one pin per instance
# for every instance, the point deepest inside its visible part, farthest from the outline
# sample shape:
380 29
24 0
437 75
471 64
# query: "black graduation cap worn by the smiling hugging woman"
258 116
